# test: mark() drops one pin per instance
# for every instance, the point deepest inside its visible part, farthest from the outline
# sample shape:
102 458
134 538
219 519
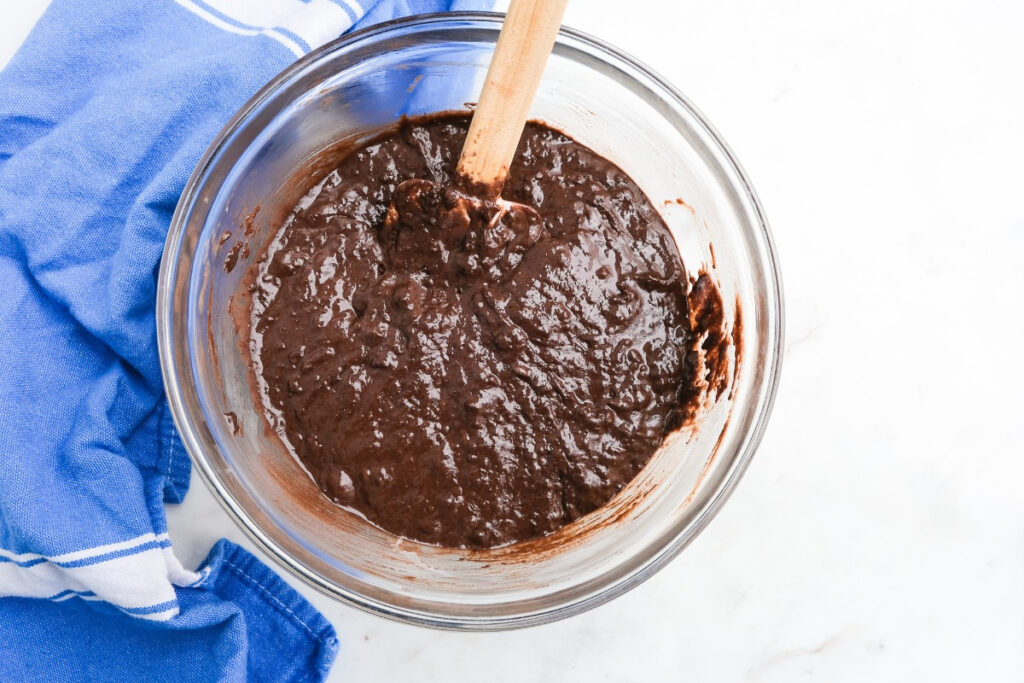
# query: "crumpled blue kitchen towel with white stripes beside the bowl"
104 114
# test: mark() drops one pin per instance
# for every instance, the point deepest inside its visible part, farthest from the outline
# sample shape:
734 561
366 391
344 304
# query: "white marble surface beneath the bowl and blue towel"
879 535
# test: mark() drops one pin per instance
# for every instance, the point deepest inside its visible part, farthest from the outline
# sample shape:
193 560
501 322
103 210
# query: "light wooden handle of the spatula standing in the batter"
524 47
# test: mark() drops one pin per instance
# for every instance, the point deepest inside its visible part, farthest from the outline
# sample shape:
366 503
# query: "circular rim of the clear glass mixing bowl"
180 413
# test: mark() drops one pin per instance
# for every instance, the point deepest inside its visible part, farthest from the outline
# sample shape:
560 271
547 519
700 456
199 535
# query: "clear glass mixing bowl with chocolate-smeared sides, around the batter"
347 92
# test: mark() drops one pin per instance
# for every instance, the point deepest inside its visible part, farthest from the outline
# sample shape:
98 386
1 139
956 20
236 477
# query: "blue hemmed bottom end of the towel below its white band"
239 623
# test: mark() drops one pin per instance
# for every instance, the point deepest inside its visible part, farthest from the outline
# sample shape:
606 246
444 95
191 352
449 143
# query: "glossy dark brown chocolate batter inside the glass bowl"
470 373
